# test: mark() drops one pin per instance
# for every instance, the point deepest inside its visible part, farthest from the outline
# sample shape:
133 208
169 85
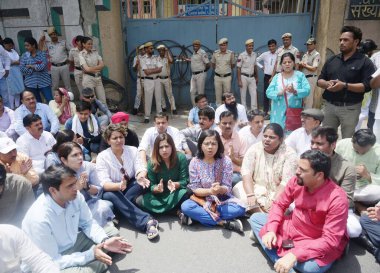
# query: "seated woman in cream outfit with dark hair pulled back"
267 167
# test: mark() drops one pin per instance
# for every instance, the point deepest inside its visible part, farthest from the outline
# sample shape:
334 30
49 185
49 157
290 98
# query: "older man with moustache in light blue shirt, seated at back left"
31 106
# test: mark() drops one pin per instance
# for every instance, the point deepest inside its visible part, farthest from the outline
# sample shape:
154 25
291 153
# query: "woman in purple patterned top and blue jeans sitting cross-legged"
211 180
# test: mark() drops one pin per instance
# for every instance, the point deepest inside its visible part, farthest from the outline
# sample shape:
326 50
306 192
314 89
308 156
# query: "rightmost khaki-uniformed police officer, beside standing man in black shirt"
309 65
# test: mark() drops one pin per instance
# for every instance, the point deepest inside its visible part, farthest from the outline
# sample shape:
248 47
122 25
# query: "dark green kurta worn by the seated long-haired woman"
166 201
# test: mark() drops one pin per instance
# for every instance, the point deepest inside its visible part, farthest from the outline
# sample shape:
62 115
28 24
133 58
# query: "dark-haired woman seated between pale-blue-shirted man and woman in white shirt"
70 154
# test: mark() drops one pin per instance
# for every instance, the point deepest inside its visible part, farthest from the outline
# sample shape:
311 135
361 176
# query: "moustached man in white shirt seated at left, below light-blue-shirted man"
35 142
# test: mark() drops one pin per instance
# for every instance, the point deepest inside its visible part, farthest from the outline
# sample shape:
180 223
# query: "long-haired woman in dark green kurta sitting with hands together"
168 174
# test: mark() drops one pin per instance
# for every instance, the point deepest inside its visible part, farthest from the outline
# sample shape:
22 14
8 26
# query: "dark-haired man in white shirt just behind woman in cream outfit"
253 132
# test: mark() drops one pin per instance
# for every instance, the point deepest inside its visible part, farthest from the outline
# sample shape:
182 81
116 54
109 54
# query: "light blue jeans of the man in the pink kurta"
257 221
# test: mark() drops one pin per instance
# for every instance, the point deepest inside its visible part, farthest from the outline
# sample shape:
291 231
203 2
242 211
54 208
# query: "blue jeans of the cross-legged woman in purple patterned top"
196 212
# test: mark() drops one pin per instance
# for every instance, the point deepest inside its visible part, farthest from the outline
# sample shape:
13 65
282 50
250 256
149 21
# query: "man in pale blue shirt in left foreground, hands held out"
53 221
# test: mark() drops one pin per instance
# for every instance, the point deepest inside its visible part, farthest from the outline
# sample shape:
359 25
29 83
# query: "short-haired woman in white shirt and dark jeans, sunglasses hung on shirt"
120 170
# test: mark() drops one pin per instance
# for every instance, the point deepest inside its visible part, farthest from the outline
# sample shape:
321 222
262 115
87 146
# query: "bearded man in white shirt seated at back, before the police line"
229 103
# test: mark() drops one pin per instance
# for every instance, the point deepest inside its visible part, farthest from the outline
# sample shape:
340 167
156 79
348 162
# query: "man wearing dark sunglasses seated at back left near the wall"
98 108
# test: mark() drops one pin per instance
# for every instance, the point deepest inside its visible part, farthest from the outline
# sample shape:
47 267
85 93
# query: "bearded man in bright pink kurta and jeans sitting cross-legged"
314 235
